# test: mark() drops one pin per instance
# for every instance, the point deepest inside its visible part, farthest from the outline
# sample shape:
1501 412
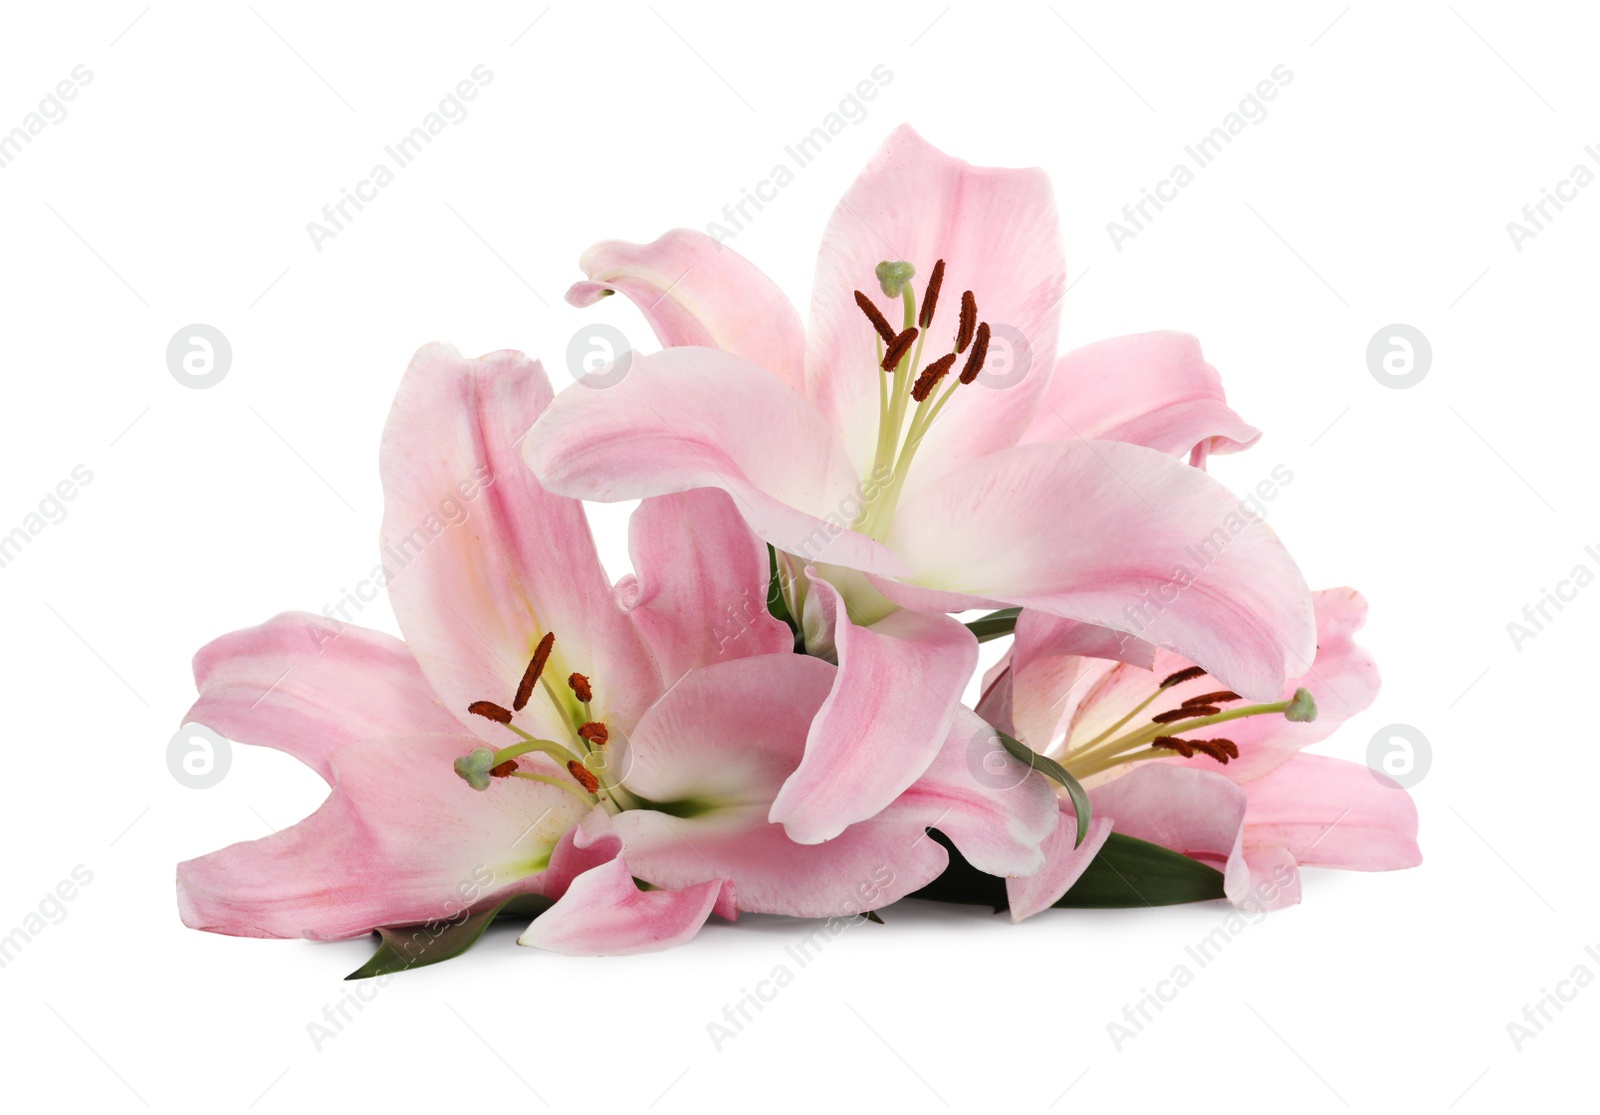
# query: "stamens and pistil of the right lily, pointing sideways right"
1162 735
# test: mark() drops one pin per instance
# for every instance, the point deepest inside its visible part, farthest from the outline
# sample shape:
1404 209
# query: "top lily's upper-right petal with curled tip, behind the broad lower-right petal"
1150 390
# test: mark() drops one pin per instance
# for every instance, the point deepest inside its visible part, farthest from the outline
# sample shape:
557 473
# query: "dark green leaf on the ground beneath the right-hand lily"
1127 873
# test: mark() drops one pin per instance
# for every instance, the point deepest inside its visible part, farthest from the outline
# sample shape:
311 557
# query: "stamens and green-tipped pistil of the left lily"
590 775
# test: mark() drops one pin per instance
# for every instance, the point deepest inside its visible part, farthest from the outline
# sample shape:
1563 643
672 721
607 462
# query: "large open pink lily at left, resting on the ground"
542 732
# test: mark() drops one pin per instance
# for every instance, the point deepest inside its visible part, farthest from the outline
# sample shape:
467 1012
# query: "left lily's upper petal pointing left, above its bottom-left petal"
310 685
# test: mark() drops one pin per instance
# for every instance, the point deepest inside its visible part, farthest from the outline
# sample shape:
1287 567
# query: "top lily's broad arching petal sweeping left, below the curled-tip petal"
698 418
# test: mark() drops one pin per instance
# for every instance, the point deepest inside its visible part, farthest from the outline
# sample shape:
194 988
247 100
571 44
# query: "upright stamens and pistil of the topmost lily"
905 380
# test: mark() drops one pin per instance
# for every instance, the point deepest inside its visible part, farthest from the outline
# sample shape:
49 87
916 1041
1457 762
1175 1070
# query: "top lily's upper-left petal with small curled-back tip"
698 292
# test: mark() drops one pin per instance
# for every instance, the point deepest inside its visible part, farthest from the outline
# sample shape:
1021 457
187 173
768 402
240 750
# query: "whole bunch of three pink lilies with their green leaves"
767 716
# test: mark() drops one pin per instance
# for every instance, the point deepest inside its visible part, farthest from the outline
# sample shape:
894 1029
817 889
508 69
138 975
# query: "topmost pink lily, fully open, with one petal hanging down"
900 489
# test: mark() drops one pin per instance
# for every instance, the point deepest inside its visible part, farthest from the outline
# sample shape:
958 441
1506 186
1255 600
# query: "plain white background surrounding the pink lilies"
1377 191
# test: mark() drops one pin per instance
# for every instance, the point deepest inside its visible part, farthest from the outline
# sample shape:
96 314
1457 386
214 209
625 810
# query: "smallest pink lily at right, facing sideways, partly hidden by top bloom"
1174 757
